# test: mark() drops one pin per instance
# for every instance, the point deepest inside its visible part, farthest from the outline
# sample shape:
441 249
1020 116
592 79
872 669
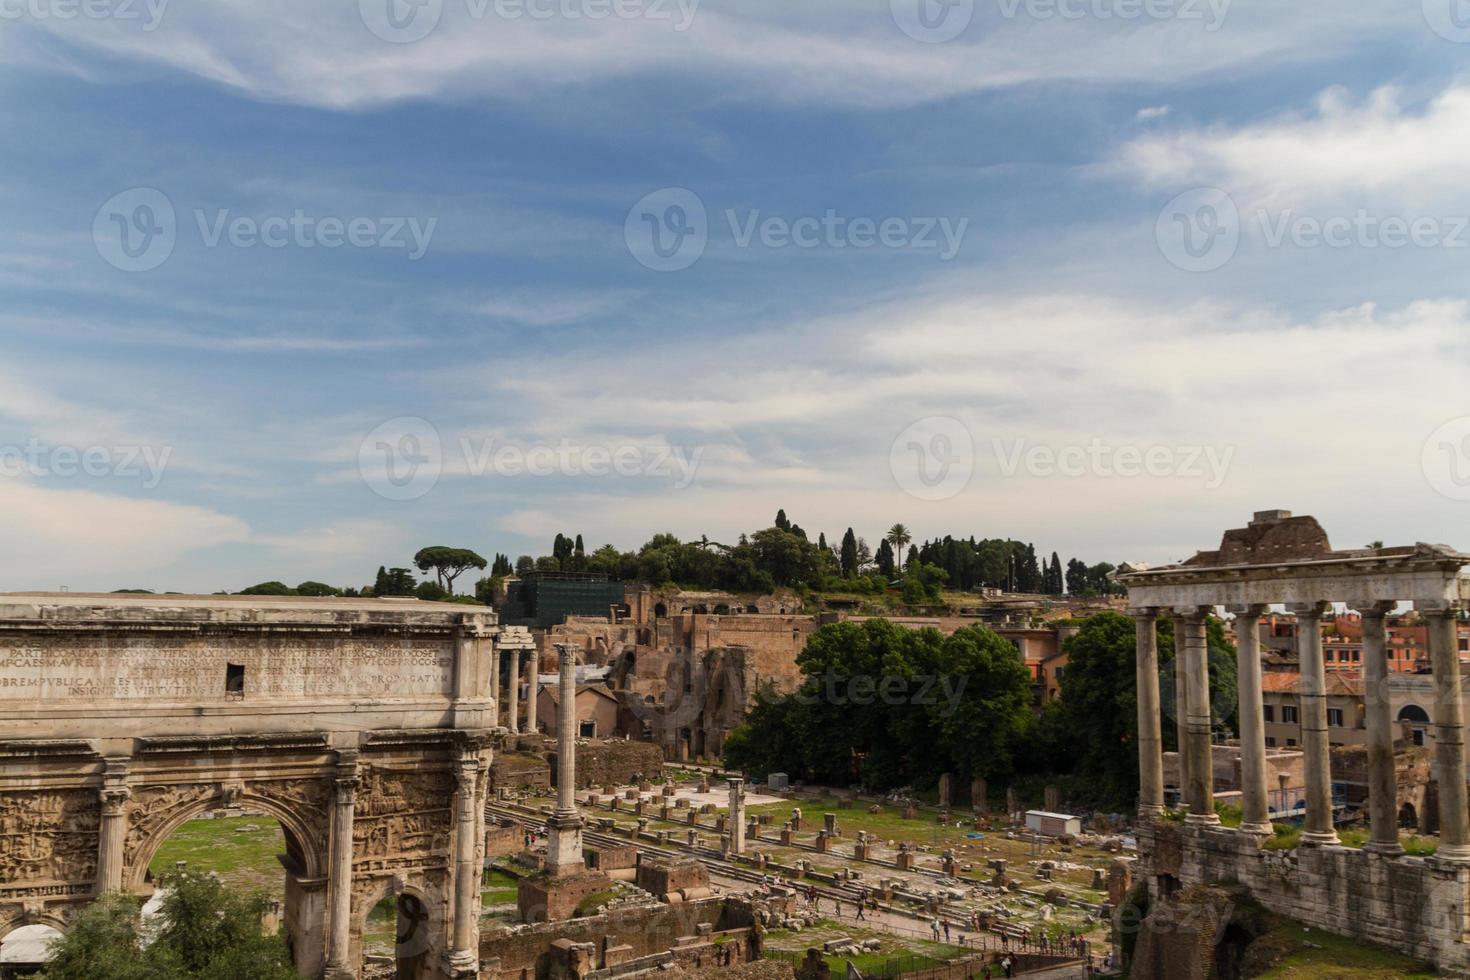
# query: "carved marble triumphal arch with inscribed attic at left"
362 725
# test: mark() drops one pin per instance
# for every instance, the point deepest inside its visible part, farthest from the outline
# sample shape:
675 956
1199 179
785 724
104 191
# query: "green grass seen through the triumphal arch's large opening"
243 859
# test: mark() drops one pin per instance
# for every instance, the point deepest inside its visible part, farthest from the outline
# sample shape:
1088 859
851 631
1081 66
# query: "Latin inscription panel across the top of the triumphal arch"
80 669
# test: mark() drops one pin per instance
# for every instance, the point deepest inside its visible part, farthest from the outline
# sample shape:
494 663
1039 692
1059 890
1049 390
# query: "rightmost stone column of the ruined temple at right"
1450 741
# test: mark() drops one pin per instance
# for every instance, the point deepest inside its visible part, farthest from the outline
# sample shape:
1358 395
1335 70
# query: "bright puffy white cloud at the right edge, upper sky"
1341 149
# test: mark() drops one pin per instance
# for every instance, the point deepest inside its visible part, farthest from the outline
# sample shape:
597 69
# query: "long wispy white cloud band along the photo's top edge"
825 51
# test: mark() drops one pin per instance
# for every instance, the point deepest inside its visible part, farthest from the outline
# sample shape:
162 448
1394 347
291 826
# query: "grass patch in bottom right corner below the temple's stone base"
1294 953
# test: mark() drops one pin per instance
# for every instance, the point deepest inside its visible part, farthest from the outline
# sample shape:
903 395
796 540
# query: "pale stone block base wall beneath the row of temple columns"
1416 906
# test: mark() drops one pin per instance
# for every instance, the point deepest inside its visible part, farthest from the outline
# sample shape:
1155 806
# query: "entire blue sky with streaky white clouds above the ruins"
928 280
